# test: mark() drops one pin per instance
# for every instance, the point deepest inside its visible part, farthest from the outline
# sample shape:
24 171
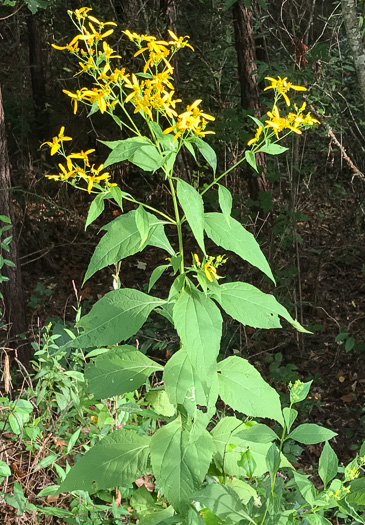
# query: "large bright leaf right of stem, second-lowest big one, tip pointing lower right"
242 388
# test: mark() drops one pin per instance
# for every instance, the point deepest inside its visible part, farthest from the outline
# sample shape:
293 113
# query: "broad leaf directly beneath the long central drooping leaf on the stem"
188 386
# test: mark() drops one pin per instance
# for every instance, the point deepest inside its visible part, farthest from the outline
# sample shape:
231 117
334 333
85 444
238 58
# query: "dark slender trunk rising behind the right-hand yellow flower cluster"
250 94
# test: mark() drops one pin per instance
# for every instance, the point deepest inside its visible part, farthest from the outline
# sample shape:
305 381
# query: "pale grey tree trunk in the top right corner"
357 45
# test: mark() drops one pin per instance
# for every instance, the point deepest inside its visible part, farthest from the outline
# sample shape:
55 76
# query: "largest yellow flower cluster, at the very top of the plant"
154 94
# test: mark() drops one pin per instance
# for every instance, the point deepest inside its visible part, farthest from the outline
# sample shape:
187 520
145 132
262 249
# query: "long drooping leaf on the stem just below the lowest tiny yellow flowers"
199 324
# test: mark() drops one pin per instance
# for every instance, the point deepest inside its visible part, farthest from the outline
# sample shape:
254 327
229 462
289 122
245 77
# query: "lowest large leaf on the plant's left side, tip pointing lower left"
117 460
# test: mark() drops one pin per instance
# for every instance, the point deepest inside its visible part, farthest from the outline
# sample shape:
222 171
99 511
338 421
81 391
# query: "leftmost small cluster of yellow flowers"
87 173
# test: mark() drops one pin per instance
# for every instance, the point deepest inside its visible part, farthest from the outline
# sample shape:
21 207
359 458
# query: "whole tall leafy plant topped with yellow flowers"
202 468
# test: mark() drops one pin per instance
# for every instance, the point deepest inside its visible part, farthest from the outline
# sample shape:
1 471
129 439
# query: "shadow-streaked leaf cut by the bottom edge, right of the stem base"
224 502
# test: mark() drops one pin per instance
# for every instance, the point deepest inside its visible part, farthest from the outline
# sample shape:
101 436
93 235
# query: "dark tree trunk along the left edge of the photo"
12 289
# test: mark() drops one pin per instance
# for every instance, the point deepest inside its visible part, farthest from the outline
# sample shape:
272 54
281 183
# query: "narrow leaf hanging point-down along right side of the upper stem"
193 206
